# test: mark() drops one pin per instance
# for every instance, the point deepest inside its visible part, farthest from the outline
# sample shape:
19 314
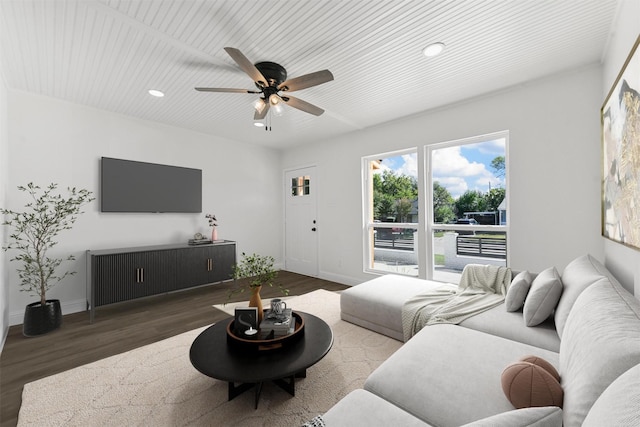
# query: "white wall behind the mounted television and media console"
56 141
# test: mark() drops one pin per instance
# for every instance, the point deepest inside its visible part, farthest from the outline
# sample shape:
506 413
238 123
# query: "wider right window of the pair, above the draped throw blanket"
468 215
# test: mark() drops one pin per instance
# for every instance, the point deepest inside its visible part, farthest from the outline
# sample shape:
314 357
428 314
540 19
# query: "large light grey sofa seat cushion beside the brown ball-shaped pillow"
448 376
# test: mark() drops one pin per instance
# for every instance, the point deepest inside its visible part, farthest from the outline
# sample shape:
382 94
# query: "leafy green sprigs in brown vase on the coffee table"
258 271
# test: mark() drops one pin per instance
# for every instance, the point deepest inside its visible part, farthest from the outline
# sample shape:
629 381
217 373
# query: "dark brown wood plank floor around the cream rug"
118 328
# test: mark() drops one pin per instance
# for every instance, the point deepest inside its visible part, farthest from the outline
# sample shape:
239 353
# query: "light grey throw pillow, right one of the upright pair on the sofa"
543 297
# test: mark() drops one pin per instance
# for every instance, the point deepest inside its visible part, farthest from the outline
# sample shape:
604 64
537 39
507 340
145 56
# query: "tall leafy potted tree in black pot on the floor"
34 233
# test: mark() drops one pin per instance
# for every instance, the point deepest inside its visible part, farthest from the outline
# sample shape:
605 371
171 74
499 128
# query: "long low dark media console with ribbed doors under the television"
116 275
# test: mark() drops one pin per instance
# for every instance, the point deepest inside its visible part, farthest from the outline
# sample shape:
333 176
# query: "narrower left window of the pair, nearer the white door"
391 213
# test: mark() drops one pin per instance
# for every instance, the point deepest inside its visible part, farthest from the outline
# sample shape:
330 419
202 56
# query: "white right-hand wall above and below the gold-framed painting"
621 259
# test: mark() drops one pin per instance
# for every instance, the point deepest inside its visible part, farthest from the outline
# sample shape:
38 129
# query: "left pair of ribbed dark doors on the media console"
121 277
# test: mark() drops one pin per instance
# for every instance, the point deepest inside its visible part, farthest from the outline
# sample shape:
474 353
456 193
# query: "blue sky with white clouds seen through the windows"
458 168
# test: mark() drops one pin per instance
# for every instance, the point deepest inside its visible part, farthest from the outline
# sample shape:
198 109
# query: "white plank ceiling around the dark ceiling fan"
107 53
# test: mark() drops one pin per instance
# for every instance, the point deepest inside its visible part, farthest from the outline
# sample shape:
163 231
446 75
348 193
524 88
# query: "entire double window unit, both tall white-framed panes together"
463 218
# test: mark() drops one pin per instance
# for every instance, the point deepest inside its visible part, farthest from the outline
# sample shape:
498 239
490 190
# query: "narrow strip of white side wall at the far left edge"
4 277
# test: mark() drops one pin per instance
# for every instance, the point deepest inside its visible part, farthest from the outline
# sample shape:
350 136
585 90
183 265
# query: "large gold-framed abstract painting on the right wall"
620 121
